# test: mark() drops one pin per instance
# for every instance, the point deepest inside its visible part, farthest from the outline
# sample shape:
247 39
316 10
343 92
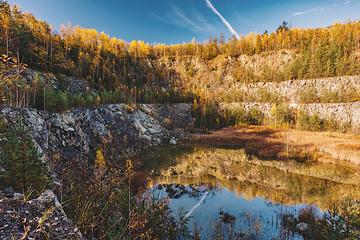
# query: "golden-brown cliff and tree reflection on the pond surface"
287 183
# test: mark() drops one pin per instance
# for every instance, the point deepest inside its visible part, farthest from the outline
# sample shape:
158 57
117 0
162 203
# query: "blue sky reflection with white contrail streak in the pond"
208 204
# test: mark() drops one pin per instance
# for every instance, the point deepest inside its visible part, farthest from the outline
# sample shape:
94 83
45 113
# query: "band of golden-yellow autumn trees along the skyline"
109 62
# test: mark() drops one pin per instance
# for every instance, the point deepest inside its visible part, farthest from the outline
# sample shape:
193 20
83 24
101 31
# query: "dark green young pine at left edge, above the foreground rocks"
20 163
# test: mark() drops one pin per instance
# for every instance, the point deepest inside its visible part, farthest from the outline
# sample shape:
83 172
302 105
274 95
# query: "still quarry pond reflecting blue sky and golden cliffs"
229 193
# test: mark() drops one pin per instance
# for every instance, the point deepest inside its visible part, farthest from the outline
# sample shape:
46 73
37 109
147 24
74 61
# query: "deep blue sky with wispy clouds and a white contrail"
178 21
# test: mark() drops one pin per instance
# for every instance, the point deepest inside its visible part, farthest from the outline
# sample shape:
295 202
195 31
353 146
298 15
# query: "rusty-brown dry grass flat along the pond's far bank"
280 143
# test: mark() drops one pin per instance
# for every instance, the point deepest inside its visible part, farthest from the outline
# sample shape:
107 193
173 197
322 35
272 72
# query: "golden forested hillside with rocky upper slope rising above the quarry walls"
203 73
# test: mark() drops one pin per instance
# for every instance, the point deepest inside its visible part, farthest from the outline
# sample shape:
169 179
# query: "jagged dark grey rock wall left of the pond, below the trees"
71 134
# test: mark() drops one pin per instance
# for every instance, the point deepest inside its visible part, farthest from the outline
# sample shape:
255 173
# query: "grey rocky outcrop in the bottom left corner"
41 218
